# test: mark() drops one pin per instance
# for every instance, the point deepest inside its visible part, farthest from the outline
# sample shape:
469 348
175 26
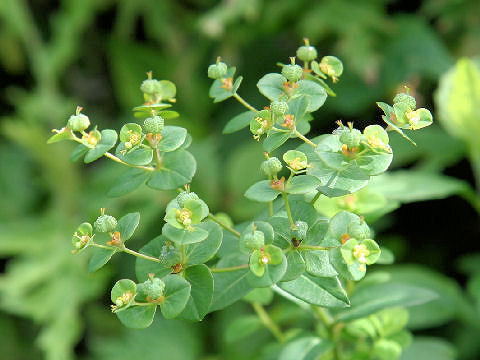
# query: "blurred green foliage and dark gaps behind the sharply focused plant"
55 55
